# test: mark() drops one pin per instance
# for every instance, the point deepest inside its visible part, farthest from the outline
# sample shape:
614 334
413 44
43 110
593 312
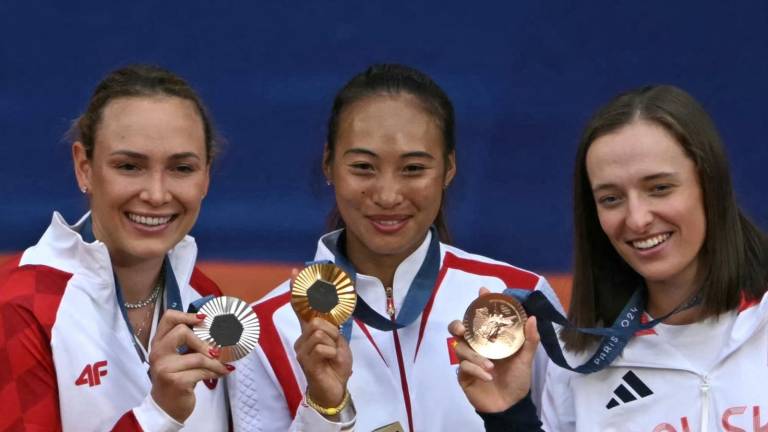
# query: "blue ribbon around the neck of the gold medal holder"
415 300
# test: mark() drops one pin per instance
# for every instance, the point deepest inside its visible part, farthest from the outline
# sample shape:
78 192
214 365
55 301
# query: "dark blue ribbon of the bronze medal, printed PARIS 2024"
614 338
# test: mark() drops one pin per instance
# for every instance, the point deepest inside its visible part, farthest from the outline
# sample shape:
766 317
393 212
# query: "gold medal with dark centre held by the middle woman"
325 291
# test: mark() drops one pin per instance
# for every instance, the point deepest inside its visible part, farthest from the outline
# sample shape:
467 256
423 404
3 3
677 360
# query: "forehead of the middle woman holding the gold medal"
392 122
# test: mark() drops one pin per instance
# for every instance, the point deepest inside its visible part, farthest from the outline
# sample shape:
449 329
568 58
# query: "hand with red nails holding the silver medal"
174 375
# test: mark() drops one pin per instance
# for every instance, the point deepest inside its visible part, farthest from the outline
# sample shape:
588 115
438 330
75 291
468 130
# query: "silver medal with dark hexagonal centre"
230 325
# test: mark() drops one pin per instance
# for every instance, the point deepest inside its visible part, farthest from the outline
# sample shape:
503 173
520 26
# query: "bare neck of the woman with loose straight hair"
665 296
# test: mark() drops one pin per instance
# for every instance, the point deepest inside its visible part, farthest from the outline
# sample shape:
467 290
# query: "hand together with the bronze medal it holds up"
495 327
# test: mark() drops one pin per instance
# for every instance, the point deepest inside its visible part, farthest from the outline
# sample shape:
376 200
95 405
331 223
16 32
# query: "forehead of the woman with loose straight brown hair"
635 151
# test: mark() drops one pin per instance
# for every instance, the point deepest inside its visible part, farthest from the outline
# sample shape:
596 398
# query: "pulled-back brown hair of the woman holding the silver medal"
138 81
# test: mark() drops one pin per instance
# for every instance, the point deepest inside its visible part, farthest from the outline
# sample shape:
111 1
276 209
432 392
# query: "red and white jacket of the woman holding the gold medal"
412 382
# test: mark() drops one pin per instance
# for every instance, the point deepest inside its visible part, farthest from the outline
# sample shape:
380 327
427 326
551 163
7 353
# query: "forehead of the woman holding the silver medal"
153 122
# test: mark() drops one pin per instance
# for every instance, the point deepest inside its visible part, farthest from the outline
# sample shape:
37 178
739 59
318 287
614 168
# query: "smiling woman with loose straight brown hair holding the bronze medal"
664 253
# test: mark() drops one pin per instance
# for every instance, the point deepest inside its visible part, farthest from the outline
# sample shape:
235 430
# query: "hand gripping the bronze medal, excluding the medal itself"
494 386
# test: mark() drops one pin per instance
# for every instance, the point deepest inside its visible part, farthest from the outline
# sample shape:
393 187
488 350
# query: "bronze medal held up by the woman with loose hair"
494 325
